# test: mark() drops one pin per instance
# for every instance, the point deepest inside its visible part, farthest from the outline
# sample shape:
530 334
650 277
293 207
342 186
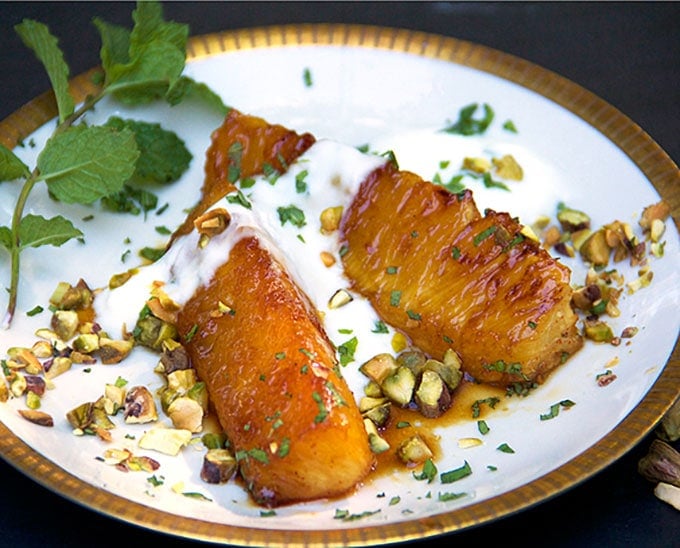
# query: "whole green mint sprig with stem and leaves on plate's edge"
82 163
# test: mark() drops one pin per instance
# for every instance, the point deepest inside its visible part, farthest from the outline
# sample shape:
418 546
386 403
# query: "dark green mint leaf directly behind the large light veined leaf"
163 156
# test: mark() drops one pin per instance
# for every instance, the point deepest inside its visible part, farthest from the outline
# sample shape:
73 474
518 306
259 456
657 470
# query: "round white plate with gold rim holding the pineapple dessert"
391 89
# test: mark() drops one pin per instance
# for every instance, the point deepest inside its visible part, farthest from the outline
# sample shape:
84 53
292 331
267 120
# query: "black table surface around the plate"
626 53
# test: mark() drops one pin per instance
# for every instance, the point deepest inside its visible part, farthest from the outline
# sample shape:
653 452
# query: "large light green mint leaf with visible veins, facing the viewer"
83 164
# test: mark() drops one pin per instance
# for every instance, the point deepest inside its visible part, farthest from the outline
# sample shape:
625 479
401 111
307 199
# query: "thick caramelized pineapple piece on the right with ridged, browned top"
447 277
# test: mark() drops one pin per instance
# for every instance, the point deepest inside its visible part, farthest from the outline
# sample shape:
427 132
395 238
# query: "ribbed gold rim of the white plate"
618 128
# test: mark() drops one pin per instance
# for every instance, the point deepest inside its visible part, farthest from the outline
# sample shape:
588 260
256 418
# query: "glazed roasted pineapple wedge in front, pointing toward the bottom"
273 379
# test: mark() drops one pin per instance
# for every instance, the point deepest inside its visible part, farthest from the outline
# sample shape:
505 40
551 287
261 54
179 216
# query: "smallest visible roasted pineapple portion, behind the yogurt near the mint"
244 146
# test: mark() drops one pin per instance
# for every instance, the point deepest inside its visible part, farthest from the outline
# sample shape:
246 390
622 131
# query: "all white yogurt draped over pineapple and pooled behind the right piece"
327 175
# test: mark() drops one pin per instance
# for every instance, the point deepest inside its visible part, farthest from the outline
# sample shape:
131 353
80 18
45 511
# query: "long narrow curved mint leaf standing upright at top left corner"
37 37
